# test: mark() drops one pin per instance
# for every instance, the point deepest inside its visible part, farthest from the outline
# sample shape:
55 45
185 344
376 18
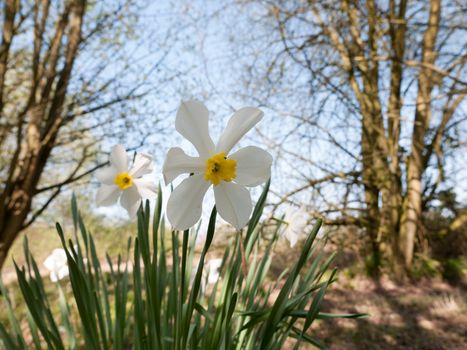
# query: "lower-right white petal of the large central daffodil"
233 203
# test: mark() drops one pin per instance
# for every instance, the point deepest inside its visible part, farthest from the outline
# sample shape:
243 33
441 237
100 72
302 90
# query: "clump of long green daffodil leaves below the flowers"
163 301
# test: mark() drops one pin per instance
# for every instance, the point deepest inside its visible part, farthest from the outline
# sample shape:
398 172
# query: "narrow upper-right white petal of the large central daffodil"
239 124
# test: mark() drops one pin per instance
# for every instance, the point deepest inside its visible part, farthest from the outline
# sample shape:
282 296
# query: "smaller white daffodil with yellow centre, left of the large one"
118 180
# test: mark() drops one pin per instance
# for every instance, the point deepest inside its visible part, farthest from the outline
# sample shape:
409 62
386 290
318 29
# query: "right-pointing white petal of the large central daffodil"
253 166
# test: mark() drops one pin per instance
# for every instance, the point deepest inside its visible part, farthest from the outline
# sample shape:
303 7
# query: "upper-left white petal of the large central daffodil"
192 123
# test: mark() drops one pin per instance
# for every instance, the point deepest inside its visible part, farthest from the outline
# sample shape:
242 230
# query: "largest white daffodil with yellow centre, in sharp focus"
229 174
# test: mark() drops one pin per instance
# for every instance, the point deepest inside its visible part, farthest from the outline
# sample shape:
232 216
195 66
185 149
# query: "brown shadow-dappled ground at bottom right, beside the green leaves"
429 316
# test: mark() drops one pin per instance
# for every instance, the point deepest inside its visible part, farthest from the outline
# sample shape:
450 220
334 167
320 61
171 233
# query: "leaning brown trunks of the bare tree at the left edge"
39 124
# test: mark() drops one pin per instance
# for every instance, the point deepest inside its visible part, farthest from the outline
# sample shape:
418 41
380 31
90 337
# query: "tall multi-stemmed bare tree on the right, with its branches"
374 98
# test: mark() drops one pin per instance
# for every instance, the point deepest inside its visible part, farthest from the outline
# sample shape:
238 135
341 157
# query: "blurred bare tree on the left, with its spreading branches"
70 73
